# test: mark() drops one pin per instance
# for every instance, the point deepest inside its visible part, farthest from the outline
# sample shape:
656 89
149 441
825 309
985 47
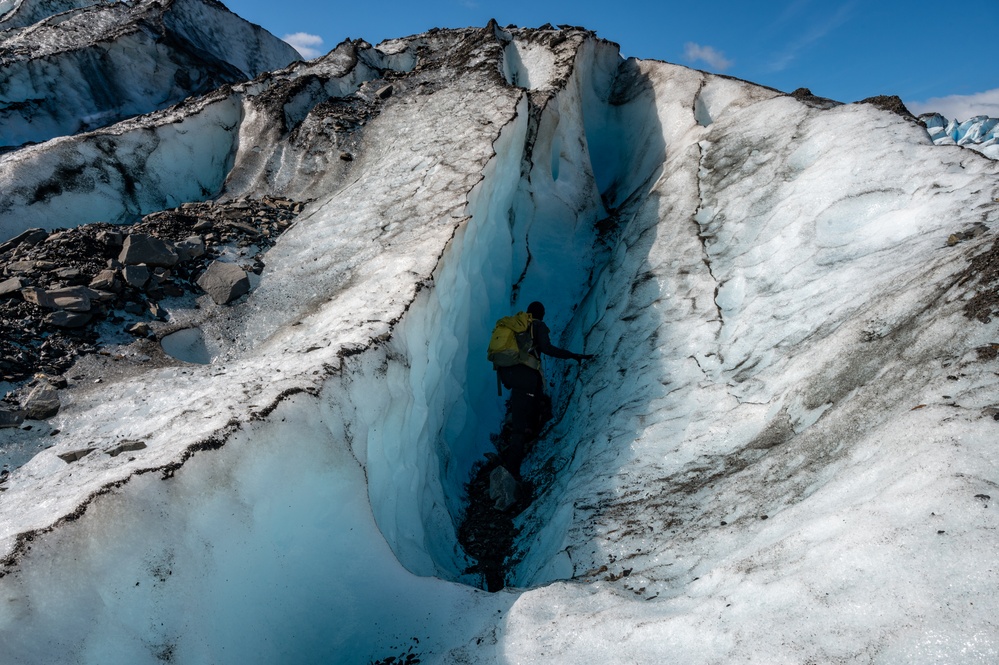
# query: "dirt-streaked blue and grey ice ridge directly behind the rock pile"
236 140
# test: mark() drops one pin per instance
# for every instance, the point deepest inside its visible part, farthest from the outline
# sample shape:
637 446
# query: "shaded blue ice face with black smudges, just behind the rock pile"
117 175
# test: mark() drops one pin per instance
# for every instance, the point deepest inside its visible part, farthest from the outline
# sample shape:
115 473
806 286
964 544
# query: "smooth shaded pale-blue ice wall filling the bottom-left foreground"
264 551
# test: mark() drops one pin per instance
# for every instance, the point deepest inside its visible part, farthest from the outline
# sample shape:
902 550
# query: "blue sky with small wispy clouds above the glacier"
934 55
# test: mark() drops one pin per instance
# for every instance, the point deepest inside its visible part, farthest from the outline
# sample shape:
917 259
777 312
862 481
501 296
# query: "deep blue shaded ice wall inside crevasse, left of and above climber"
532 234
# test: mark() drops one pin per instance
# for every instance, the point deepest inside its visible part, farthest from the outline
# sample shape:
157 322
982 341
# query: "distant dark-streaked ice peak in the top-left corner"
92 65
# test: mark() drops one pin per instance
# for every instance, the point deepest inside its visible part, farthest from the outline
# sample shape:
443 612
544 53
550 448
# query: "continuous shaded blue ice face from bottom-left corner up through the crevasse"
229 560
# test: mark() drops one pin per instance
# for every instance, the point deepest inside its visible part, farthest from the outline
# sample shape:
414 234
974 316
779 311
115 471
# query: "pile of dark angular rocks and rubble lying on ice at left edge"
39 333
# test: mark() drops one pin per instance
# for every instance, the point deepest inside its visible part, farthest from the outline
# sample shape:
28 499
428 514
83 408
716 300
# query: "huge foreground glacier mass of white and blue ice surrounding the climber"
784 450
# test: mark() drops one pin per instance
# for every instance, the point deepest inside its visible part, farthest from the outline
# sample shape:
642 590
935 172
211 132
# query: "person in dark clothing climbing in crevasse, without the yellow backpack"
525 381
